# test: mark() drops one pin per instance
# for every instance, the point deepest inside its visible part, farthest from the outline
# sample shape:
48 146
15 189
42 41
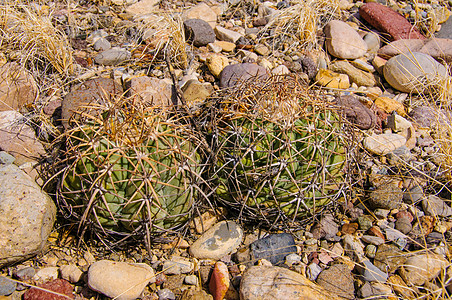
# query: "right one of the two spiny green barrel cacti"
280 153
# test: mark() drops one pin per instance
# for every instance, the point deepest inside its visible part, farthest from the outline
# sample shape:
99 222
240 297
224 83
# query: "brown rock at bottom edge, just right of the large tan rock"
338 280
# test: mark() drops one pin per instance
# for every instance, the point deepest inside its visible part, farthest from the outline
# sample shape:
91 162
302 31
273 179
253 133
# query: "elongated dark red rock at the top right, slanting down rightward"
389 21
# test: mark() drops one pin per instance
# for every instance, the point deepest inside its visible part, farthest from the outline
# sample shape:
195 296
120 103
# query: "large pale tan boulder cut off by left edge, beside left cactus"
26 218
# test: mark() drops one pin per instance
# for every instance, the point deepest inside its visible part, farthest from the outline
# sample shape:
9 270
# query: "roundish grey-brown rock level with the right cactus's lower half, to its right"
386 197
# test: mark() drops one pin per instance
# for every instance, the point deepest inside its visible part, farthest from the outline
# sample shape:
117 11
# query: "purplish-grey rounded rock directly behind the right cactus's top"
238 73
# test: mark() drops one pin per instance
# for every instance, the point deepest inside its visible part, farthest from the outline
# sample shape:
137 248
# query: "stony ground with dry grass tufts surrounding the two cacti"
390 239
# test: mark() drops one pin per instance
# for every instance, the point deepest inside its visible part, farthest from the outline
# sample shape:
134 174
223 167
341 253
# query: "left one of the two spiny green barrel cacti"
130 171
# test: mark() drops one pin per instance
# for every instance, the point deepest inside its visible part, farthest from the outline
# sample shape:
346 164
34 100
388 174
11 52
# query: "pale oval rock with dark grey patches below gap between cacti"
220 240
